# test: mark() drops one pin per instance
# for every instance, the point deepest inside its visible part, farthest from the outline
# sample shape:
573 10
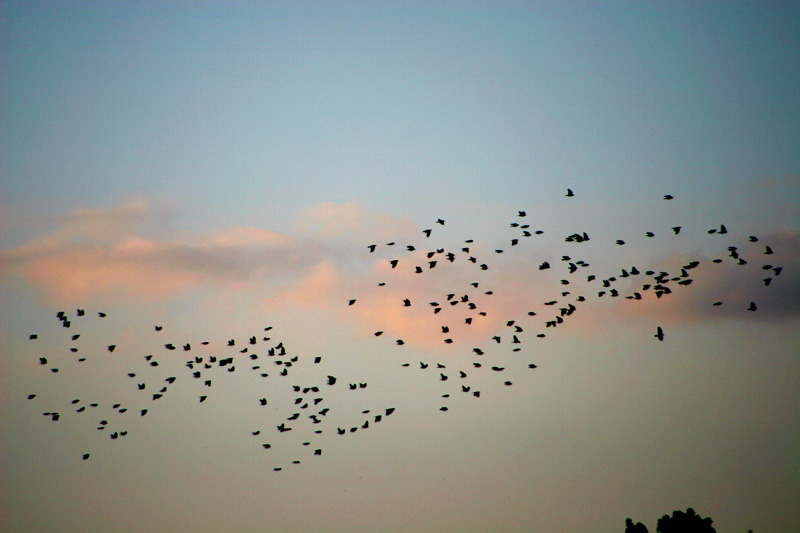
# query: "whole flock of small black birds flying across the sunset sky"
465 304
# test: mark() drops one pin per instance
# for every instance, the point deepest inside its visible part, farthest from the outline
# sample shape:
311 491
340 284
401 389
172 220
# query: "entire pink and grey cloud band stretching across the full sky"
99 252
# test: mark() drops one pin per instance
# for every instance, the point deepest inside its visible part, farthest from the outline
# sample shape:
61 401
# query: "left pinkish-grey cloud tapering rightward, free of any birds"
98 251
